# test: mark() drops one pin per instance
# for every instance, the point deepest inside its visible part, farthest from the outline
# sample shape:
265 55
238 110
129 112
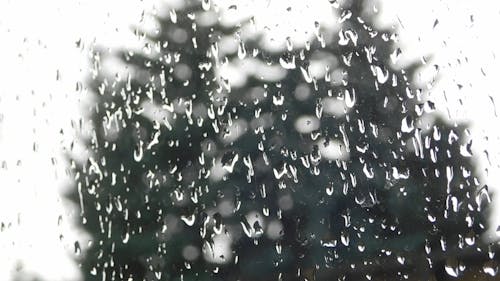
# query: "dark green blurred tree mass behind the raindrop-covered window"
324 163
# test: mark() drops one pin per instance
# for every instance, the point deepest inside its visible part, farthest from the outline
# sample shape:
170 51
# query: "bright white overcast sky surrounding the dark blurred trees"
38 41
